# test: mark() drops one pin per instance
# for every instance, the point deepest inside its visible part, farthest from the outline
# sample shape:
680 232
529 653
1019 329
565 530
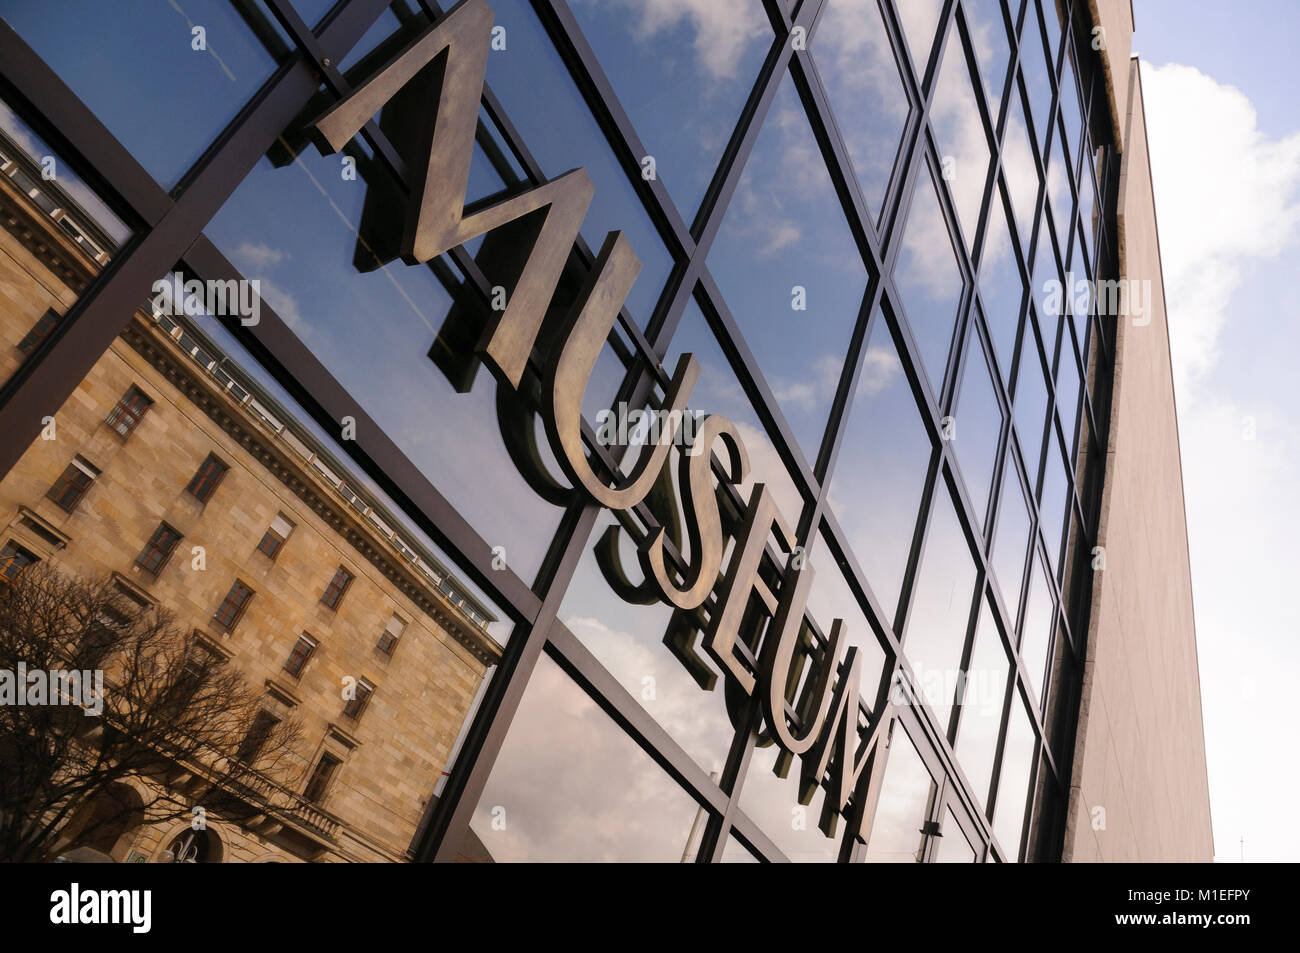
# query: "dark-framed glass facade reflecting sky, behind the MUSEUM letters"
850 214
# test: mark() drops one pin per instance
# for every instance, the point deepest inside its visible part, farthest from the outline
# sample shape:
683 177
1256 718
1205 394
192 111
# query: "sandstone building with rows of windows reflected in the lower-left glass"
171 473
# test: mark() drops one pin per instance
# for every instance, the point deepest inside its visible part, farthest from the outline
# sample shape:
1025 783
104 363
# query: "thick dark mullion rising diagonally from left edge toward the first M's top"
41 385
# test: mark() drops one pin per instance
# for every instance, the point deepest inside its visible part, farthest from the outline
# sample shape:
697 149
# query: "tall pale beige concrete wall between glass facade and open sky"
1139 789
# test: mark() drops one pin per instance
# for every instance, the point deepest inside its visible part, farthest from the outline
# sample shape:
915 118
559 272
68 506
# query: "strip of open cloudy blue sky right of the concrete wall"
1224 125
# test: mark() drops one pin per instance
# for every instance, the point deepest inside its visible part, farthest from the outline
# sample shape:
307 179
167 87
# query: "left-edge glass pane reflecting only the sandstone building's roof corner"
55 237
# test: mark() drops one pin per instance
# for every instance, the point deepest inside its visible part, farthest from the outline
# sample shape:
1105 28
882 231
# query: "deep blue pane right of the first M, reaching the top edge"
551 116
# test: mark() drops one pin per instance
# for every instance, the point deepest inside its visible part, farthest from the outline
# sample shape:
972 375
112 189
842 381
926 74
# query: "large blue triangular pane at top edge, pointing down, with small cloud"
683 72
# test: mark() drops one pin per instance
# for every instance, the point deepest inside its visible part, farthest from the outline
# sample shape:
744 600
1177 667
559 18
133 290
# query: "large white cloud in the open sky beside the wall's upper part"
1225 194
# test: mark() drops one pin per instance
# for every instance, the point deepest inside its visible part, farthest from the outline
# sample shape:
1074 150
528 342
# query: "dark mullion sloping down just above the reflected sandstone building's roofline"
297 369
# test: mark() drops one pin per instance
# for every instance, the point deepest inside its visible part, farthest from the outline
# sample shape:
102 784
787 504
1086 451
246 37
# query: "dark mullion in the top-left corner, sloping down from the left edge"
59 115
